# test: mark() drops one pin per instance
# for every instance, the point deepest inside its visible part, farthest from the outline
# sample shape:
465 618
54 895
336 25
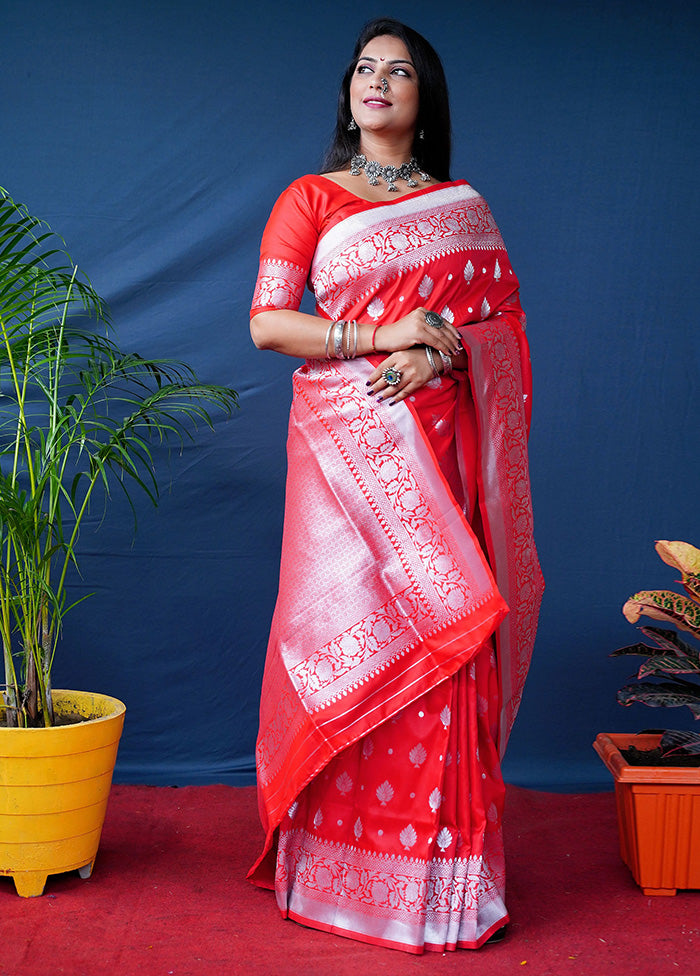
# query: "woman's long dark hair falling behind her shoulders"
433 151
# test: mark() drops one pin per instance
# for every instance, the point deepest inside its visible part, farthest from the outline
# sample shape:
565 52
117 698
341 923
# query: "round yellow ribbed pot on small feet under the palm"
54 786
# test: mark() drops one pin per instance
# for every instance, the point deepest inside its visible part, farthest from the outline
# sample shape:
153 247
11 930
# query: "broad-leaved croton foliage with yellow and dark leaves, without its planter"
670 657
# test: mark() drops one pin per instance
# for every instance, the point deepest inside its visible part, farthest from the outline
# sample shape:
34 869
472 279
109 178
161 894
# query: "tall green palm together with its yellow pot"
77 416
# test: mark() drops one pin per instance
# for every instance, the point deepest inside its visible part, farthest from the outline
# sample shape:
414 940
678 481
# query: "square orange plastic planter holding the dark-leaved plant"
658 813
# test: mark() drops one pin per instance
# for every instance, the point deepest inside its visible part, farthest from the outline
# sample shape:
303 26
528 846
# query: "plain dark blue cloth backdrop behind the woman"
155 138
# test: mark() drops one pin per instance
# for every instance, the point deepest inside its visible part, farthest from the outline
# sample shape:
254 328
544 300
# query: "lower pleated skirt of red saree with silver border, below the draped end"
388 847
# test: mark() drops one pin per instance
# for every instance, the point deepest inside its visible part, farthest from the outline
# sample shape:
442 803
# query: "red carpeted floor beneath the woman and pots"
168 897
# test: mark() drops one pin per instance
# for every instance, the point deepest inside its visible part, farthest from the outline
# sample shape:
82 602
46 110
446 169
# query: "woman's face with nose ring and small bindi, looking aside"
384 96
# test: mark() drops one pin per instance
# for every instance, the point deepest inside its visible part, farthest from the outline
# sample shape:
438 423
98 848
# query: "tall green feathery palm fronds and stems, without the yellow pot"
77 417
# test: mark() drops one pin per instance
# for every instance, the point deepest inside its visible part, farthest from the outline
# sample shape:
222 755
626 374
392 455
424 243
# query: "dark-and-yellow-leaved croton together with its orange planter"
657 775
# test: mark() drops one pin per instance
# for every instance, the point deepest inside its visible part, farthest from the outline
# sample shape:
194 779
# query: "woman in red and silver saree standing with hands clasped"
396 662
